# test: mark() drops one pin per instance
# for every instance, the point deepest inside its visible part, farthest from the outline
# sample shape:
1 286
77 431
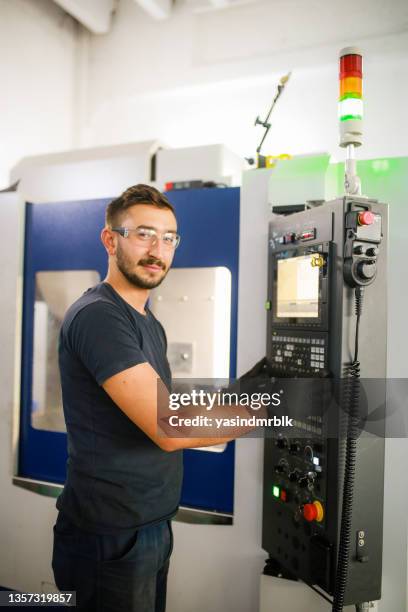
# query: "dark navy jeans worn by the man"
113 573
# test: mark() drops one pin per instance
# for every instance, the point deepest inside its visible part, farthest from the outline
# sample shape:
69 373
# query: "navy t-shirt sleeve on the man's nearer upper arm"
104 340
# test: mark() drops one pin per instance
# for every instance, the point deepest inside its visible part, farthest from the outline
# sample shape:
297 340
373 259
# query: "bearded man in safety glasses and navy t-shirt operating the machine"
113 538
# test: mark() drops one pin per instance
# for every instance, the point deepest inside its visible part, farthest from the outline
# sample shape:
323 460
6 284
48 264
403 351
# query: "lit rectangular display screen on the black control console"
298 287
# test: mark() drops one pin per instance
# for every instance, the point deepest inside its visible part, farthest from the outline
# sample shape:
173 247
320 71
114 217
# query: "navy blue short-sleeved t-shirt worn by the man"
117 477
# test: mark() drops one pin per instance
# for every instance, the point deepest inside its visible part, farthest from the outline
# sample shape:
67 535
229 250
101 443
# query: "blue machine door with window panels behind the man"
63 257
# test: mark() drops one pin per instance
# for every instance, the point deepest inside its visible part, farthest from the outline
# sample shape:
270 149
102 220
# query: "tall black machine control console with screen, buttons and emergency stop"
315 339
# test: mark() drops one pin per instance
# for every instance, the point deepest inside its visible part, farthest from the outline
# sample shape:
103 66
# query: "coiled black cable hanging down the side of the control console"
351 403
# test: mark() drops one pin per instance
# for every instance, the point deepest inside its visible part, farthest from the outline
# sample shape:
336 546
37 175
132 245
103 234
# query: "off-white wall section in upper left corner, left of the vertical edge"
38 60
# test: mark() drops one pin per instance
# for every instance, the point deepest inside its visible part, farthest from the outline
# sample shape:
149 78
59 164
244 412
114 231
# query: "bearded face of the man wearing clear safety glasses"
145 265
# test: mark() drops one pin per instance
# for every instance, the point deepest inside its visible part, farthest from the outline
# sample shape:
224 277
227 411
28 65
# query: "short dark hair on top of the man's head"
138 194
